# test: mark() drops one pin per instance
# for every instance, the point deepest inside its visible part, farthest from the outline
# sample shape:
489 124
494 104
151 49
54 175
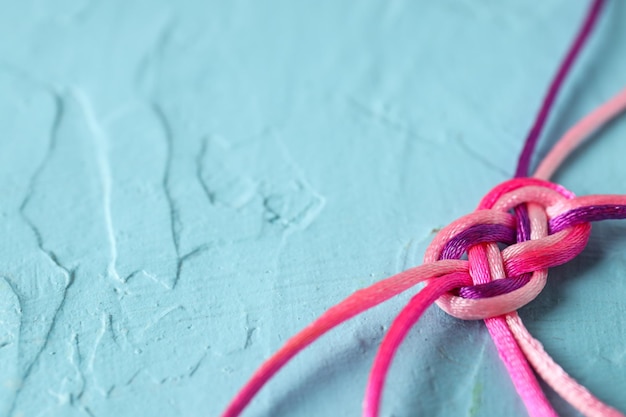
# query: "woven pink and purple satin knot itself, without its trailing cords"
522 213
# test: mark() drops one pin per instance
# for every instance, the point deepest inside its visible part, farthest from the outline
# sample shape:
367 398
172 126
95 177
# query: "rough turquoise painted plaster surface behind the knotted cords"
187 184
